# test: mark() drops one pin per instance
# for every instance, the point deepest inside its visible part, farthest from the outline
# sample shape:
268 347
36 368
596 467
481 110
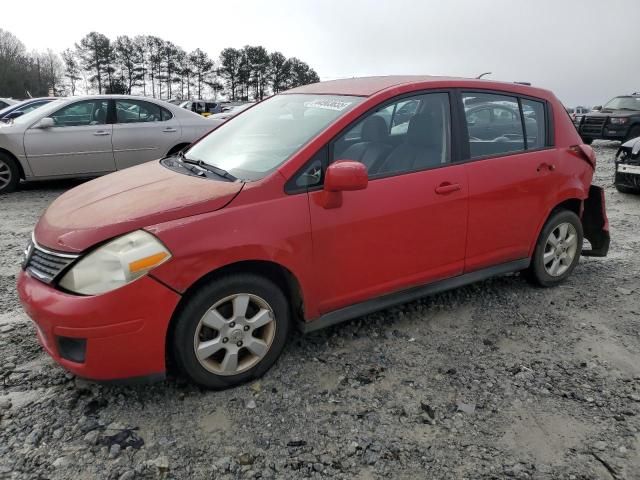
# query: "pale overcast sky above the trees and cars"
585 51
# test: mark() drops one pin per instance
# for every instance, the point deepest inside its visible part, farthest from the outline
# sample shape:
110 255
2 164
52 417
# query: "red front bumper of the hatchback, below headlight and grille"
118 335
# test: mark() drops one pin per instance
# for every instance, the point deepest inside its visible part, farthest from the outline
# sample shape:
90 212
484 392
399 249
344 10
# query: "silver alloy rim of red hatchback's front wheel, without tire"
234 334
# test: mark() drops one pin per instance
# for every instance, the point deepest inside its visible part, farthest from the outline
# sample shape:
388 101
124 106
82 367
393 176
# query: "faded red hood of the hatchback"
124 201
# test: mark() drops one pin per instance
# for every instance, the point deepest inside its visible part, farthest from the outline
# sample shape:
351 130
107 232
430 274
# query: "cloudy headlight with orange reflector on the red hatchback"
117 263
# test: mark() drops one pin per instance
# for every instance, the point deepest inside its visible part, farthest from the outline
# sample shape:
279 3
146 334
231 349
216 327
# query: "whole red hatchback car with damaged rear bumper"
321 204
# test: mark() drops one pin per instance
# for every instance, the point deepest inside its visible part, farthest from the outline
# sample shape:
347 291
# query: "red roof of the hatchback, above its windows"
368 86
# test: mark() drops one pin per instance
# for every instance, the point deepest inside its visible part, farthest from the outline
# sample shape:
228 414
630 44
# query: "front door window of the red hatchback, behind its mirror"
408 135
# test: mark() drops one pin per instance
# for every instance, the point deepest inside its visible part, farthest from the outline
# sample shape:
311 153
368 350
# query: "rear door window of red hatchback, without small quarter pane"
494 124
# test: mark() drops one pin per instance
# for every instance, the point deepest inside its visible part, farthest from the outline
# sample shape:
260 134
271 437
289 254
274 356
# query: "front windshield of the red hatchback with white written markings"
265 136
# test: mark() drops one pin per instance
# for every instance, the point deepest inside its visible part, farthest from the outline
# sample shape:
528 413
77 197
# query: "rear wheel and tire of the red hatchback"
565 254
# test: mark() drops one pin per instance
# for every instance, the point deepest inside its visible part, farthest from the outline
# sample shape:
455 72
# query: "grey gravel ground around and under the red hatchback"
495 380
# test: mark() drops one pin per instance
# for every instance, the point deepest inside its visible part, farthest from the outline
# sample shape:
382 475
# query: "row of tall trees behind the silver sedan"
147 65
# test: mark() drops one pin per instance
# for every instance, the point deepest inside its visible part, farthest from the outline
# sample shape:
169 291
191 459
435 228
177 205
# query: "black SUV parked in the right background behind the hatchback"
619 119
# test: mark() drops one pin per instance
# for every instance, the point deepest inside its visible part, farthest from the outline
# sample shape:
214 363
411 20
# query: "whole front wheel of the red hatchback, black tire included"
213 322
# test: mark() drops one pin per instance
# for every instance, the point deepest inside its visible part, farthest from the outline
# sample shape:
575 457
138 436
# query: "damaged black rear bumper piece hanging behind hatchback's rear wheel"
595 223
